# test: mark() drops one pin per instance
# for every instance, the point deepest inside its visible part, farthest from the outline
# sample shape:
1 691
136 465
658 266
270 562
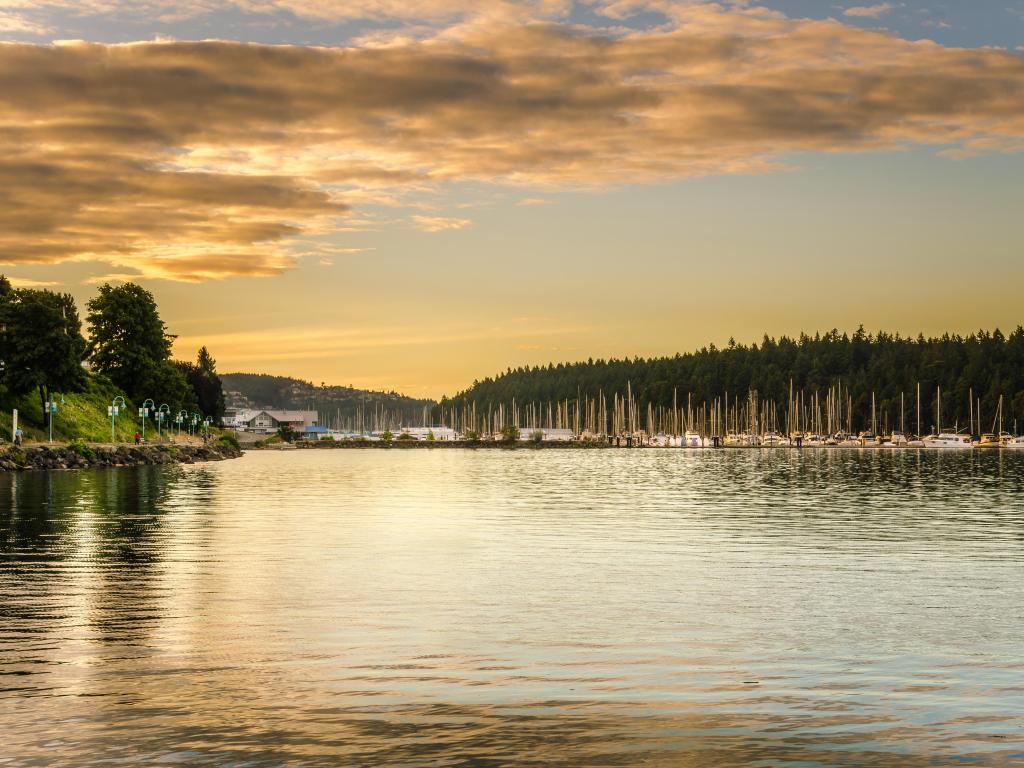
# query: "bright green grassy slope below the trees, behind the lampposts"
83 415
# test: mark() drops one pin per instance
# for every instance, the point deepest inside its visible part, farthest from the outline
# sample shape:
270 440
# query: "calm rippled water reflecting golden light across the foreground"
475 609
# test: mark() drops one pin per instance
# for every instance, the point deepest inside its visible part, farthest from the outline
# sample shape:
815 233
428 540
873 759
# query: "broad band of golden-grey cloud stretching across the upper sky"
202 160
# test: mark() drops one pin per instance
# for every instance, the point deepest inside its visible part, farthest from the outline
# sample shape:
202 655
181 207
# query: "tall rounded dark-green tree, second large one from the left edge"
130 344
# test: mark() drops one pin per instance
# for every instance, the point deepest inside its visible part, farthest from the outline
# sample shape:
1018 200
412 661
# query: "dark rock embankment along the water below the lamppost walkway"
83 456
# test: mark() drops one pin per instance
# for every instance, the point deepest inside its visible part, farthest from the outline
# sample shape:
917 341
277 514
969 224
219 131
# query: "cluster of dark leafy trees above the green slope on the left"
44 350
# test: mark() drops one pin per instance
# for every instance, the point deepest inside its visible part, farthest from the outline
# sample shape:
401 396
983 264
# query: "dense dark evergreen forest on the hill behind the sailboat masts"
991 365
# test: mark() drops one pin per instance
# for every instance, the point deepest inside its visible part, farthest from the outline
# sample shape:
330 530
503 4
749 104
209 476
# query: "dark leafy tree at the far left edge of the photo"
41 346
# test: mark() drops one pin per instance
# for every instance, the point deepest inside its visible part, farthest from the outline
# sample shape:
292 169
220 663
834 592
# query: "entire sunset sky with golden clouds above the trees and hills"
412 195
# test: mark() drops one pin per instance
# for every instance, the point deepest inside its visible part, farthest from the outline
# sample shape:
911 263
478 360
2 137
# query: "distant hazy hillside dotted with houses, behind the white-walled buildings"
339 408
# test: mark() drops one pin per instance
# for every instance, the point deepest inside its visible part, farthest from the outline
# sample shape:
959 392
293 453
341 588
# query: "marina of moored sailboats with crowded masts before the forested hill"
807 421
